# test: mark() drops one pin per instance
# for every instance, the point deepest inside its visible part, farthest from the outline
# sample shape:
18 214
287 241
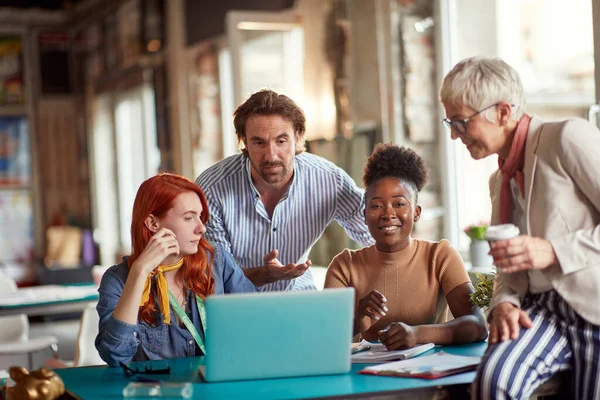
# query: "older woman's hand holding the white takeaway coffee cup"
522 253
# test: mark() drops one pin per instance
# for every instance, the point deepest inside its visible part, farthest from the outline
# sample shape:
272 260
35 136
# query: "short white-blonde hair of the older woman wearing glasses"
479 82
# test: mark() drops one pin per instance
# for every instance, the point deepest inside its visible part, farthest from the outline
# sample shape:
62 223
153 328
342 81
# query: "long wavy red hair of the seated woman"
156 196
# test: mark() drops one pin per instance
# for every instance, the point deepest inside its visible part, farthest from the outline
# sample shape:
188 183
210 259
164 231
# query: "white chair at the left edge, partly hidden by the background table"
14 335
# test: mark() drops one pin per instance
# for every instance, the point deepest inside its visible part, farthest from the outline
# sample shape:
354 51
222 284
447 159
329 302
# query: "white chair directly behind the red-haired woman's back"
85 351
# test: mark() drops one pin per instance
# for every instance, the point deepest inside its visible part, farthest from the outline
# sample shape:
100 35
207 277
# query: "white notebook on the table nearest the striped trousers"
431 366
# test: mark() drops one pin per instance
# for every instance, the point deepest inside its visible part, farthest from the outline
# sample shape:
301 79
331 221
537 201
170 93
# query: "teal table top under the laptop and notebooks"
106 383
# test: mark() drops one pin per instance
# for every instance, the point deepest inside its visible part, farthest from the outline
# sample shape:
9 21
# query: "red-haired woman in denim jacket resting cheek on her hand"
151 305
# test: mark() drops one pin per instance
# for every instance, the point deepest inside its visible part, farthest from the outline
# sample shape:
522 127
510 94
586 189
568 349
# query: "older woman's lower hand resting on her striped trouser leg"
507 320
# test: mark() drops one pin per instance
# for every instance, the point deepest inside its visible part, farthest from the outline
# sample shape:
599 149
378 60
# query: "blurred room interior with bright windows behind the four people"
98 95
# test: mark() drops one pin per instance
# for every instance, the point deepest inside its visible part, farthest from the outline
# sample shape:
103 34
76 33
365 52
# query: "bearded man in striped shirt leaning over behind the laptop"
275 199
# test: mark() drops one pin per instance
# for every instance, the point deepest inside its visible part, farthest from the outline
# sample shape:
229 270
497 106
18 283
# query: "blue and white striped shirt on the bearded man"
320 192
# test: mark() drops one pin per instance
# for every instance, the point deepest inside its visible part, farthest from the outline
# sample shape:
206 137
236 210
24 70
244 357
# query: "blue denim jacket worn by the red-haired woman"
120 341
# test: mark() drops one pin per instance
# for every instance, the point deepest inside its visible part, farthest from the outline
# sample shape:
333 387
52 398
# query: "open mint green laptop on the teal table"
278 334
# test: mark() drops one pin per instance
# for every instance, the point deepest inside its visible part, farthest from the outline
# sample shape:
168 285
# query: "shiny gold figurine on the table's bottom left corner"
41 384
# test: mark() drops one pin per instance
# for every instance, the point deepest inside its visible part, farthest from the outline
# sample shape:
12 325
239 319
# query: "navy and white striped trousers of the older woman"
559 340
